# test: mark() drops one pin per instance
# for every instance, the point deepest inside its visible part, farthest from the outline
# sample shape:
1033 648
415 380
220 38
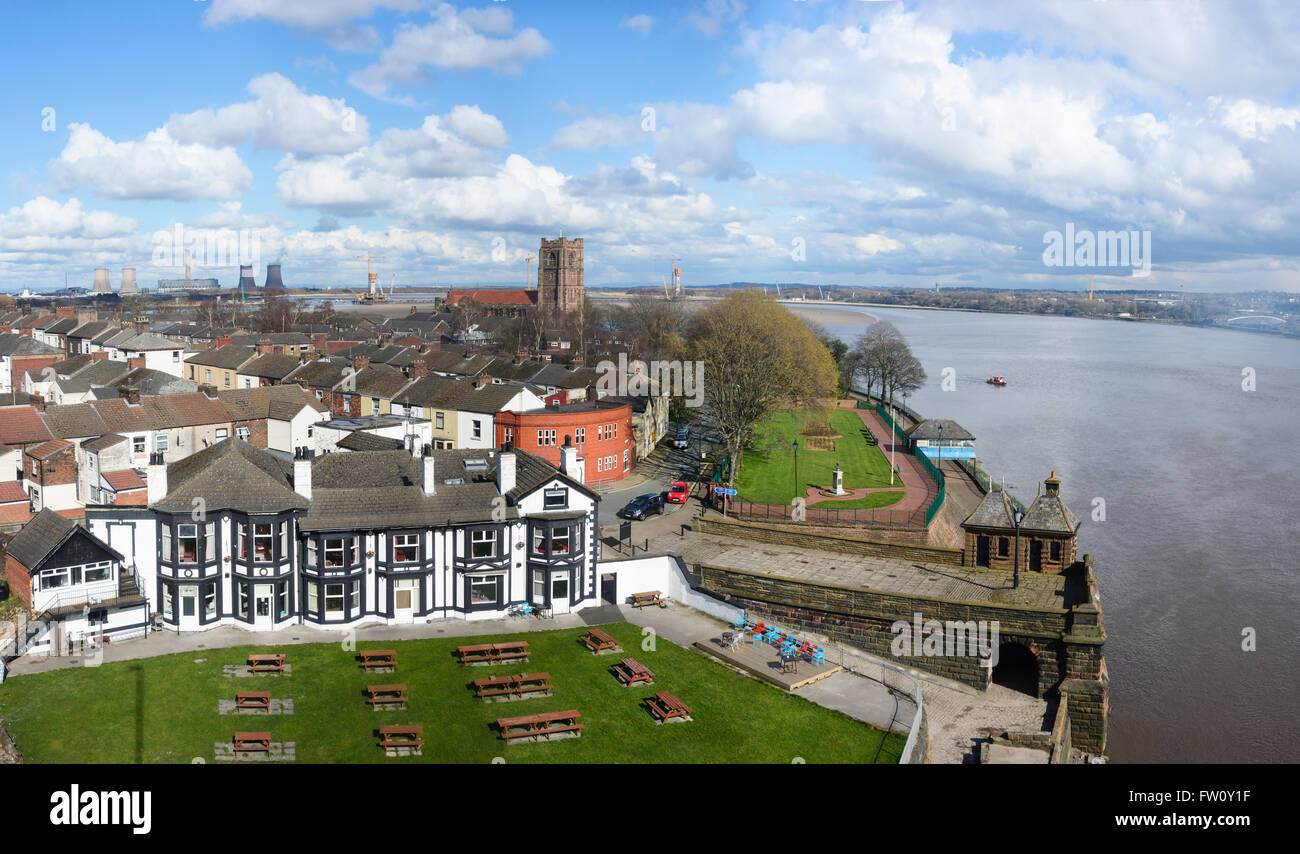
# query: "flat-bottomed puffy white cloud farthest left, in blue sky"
157 167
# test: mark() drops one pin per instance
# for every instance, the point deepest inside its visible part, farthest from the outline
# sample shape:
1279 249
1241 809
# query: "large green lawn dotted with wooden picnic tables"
164 710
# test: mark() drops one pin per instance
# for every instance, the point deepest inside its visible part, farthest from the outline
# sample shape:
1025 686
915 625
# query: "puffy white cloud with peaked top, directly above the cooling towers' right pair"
283 118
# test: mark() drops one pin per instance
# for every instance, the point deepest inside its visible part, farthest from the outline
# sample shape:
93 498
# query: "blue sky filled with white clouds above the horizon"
889 144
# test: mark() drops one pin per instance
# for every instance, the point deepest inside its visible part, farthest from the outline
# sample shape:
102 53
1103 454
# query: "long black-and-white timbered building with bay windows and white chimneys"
237 536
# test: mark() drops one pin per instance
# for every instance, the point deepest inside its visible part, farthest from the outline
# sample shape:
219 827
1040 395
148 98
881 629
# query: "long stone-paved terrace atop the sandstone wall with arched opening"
890 575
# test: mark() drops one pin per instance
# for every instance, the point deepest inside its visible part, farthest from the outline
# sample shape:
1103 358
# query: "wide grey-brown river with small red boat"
1201 482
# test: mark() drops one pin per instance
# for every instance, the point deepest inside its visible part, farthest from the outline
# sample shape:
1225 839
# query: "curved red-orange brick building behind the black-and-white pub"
601 431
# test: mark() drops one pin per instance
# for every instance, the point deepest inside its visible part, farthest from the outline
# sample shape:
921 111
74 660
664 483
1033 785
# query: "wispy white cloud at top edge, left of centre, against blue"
456 41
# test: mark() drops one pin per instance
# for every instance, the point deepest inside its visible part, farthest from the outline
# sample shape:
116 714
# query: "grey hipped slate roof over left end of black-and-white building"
232 475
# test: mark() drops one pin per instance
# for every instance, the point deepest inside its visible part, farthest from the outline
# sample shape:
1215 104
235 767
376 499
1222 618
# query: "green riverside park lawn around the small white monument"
768 472
